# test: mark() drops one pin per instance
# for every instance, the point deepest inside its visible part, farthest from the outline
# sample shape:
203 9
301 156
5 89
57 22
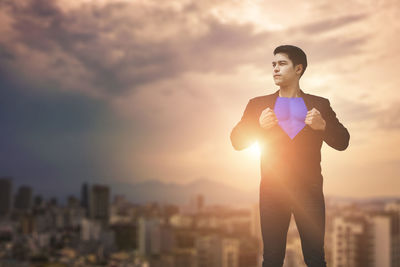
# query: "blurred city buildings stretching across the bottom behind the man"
120 233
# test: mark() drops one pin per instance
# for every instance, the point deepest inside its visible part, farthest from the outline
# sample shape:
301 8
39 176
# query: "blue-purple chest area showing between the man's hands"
291 113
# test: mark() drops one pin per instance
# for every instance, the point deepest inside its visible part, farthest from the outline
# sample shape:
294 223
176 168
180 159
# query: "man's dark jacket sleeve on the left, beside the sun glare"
247 129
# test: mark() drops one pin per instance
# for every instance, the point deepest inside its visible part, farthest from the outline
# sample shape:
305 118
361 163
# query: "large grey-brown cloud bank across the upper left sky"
122 46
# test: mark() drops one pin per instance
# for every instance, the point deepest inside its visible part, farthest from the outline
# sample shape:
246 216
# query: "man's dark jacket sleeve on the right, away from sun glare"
335 134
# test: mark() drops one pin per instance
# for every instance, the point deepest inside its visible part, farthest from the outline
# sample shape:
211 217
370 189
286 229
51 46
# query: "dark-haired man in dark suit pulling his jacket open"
289 126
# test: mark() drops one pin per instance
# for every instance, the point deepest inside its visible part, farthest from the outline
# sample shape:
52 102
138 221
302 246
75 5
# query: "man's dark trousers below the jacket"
278 200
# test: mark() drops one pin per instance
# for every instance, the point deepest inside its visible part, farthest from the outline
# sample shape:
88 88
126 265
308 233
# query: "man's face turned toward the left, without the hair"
283 71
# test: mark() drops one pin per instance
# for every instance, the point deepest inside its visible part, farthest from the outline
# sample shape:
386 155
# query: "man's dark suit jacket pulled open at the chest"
297 158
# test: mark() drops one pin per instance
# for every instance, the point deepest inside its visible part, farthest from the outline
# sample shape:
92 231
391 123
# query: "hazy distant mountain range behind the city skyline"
154 191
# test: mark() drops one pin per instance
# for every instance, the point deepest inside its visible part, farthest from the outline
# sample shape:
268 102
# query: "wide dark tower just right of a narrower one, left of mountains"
99 208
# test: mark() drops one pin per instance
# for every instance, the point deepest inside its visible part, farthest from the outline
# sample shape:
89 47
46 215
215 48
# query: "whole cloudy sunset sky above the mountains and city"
130 91
